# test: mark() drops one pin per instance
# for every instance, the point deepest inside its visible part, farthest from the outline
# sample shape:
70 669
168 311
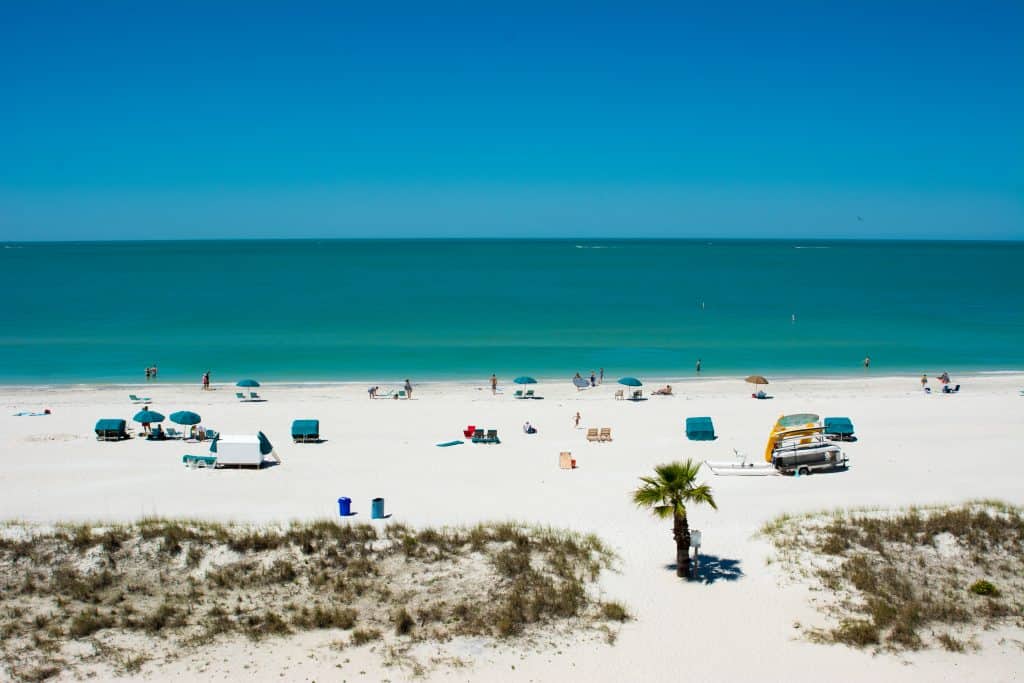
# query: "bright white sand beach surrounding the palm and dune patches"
737 626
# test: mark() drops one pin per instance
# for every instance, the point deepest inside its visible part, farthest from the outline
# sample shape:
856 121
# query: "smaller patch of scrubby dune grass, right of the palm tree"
908 580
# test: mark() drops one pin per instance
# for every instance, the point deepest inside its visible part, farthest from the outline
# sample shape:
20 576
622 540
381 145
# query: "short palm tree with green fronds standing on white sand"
667 495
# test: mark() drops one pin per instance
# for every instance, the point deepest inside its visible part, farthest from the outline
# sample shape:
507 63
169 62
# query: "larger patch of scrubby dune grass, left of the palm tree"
134 593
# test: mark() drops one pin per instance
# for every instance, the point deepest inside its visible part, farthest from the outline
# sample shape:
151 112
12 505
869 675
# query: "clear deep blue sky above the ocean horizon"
252 119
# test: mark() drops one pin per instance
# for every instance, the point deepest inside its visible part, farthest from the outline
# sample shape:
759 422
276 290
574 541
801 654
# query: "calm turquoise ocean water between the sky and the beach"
324 311
